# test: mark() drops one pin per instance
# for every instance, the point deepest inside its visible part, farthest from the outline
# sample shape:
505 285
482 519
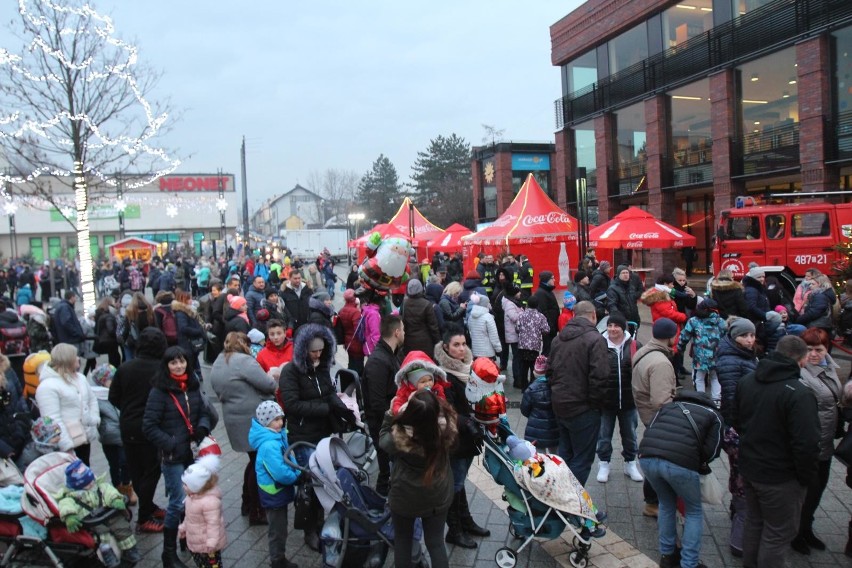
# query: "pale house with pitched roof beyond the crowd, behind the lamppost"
299 208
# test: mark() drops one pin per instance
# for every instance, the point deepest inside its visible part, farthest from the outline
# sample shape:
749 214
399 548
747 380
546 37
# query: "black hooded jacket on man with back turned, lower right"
777 419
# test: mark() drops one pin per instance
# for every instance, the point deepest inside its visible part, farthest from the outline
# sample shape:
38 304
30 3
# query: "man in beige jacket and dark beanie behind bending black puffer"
654 385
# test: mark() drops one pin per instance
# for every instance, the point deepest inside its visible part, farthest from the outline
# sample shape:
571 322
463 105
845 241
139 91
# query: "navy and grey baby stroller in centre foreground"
358 530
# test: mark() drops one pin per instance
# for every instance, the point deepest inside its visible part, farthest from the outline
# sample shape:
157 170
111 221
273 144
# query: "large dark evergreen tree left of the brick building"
442 183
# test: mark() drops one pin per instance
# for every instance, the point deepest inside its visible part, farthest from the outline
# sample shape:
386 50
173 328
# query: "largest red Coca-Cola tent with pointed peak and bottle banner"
535 226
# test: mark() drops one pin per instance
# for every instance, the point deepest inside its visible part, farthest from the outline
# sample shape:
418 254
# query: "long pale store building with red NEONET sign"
184 211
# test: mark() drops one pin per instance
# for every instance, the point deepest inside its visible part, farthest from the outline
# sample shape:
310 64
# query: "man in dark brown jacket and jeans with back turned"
579 361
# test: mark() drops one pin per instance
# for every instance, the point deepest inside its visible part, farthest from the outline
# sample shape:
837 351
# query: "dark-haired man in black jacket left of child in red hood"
380 387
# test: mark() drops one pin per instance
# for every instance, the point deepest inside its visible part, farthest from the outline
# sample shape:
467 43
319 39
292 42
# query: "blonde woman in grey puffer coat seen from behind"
241 385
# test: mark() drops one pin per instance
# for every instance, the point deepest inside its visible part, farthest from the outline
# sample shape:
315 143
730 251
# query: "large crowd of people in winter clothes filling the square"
762 387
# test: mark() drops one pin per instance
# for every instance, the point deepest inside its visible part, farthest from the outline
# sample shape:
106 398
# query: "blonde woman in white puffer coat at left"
63 394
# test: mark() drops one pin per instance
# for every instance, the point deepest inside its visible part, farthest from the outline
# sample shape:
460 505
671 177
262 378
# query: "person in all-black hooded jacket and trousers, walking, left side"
129 394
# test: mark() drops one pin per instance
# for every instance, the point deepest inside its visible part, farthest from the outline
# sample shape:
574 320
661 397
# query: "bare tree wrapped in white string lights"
73 106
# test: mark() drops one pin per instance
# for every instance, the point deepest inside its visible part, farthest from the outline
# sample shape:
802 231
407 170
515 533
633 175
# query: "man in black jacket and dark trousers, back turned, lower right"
776 417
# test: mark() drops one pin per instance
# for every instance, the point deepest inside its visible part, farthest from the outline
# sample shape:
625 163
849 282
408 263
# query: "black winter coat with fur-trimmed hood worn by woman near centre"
307 391
